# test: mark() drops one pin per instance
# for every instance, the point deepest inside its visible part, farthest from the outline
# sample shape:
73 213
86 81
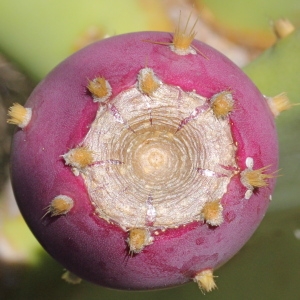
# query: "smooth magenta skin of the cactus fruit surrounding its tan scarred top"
62 111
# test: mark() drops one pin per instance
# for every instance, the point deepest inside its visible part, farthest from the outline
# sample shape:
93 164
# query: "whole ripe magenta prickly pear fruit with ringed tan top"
160 152
